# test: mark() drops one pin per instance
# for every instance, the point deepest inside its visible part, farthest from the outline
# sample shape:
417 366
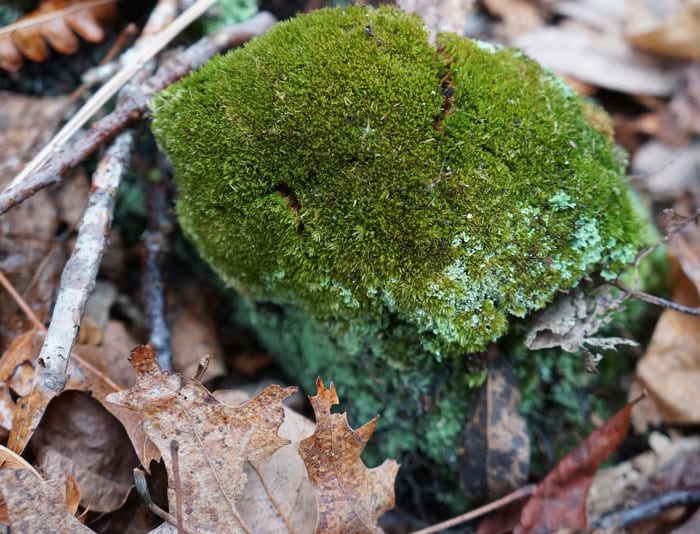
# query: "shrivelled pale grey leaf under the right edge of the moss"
574 318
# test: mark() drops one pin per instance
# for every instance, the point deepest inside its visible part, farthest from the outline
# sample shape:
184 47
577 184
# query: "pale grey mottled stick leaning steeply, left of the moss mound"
78 278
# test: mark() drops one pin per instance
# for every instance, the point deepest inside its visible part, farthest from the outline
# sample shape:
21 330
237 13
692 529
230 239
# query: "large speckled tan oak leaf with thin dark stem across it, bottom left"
214 440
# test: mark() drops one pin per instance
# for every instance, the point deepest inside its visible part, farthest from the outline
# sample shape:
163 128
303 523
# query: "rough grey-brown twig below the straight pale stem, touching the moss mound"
132 107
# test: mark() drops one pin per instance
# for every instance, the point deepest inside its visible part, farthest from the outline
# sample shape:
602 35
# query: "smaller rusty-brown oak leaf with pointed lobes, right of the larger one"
349 496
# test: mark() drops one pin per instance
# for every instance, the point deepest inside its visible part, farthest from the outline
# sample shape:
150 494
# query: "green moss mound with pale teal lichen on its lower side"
386 206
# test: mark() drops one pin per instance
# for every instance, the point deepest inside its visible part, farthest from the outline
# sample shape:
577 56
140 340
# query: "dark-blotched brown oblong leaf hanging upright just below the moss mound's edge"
496 442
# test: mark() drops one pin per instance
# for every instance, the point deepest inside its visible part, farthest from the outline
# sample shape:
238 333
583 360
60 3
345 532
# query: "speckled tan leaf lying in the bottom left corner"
37 505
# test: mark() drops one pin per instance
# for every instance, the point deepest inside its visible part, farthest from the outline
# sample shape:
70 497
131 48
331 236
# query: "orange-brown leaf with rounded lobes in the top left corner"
60 21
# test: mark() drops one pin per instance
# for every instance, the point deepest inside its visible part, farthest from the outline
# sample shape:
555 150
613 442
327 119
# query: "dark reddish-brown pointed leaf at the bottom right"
559 501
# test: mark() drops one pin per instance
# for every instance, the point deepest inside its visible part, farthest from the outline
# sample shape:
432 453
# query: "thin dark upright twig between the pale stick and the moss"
156 239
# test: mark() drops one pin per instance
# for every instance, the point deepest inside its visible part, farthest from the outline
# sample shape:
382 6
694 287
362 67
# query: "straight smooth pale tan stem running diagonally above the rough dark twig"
109 89
